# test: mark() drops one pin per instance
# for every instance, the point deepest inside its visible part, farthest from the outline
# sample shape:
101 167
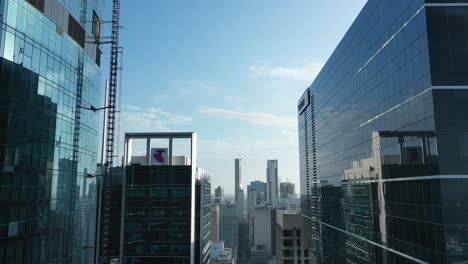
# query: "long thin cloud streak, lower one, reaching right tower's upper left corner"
253 118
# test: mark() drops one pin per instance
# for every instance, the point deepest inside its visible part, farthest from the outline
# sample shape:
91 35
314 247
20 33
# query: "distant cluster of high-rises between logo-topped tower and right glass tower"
249 227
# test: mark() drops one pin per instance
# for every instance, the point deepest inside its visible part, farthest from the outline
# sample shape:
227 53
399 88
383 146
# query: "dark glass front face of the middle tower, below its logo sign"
158 214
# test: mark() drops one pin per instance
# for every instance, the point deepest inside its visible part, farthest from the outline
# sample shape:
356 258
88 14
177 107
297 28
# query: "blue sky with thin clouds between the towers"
232 71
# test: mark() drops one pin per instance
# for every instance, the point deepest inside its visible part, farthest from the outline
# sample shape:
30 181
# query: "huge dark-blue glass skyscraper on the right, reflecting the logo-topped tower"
383 137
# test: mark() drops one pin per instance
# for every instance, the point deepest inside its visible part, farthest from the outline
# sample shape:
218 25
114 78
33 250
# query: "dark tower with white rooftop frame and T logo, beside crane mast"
166 211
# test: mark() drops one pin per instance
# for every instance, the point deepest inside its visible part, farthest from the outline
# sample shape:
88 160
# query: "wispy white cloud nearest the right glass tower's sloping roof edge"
306 72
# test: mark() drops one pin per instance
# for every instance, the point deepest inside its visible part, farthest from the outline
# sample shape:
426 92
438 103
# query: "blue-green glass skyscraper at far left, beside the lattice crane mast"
49 71
